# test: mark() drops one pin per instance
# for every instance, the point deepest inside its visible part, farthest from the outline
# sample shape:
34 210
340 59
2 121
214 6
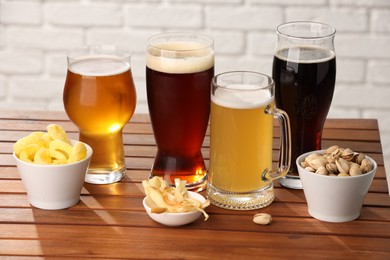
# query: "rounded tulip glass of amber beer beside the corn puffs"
100 98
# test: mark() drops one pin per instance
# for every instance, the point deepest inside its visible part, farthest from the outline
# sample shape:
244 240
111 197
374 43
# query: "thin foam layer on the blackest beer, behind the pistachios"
305 54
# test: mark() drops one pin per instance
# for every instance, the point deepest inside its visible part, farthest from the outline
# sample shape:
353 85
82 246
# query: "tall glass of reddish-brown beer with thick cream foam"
179 69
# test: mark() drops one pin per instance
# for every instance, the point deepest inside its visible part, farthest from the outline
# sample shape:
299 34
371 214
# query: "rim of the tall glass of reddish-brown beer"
175 36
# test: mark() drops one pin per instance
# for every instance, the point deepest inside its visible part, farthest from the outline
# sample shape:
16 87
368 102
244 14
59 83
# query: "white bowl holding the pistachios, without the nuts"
332 198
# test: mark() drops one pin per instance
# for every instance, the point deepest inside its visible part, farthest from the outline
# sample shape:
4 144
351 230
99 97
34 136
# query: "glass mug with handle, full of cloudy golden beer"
241 138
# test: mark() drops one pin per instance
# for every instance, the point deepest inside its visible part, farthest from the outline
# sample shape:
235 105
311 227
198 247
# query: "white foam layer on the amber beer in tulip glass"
100 65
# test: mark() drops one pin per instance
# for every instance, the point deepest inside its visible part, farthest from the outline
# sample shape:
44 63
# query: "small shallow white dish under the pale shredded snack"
175 219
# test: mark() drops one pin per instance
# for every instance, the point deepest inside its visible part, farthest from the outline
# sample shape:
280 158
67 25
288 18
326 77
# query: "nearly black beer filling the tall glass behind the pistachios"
305 79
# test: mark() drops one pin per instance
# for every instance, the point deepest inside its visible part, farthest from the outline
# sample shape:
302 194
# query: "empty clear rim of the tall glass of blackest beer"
331 33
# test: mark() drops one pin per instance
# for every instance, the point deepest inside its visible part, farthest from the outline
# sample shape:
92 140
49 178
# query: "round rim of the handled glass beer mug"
269 85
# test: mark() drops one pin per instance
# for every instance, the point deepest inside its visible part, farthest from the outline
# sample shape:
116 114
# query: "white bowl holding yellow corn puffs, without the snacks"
54 186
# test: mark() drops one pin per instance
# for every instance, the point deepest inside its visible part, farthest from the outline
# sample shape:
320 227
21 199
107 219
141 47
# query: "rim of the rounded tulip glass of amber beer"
88 50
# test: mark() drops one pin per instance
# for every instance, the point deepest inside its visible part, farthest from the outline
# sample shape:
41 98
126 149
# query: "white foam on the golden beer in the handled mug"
248 96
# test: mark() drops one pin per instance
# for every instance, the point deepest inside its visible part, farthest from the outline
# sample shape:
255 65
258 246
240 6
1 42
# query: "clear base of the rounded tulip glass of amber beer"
102 176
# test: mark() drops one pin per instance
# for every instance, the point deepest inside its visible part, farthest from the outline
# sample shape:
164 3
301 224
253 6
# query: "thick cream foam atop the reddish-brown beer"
180 57
